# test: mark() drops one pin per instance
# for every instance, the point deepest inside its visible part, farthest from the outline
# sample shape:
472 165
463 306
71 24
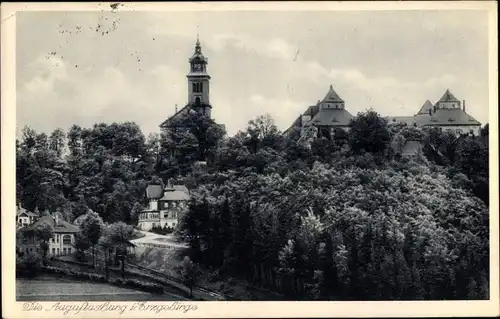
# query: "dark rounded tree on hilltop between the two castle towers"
369 133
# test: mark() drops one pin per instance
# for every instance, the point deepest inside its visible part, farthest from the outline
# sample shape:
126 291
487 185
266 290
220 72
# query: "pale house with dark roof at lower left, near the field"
62 241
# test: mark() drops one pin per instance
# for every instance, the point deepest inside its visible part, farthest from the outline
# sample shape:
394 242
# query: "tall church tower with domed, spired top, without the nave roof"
199 82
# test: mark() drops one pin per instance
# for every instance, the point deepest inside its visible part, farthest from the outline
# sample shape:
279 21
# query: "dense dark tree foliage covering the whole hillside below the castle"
339 217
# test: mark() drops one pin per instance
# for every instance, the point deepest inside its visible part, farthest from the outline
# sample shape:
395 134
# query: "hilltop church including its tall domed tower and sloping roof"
198 90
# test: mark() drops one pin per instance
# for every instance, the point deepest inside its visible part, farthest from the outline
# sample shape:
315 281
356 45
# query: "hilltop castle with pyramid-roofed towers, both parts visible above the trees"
329 114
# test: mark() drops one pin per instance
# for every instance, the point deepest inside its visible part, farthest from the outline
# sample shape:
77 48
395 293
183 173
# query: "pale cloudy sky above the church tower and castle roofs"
134 66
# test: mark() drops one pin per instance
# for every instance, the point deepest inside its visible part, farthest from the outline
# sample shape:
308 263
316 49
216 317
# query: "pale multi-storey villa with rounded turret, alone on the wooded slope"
166 206
